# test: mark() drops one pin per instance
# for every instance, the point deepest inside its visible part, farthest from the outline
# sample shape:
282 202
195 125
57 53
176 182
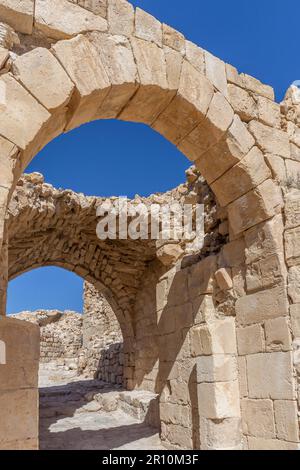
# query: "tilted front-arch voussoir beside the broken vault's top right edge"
247 174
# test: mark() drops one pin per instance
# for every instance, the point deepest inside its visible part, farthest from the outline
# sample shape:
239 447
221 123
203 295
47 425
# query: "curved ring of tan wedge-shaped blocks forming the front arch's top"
149 74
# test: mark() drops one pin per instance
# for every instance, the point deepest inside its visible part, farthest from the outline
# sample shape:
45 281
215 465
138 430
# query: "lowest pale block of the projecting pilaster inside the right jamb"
215 435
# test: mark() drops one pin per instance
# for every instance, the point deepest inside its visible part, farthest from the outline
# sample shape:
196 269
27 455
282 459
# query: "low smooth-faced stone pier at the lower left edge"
19 402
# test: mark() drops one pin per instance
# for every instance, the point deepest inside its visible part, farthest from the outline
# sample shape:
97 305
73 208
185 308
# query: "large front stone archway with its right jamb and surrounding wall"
71 63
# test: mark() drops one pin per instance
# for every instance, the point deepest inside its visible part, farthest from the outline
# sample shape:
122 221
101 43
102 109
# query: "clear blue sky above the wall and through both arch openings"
259 37
